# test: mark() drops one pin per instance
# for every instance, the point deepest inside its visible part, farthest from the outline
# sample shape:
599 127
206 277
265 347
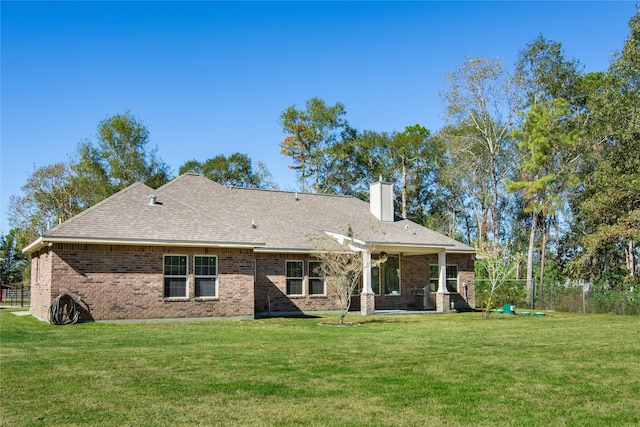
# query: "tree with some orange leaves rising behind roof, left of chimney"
309 133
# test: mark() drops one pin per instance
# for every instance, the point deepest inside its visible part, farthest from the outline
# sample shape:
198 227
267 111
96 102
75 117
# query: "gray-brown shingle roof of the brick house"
195 210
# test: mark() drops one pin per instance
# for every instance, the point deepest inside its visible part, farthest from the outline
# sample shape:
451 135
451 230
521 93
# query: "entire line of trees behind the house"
543 160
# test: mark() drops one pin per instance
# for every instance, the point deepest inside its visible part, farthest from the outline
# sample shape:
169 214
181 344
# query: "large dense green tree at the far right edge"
607 209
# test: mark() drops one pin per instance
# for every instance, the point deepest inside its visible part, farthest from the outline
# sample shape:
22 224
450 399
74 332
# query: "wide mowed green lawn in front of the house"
458 369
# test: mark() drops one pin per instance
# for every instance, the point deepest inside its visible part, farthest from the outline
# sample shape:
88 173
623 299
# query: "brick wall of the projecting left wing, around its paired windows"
126 282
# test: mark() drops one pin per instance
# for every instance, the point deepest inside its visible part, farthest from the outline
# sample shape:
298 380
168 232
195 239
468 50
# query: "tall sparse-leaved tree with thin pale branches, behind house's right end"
482 105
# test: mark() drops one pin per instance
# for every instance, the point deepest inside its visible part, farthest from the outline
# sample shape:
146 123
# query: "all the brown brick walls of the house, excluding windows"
126 282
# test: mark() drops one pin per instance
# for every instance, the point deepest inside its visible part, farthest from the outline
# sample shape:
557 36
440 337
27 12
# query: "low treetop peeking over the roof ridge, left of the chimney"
235 170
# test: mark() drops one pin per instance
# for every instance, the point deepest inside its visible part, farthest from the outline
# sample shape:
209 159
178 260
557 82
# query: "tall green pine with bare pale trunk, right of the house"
550 149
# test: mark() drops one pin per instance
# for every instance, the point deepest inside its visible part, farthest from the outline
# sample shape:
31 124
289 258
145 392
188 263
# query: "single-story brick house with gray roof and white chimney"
194 249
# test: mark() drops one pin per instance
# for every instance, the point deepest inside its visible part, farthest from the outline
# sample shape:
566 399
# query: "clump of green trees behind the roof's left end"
57 192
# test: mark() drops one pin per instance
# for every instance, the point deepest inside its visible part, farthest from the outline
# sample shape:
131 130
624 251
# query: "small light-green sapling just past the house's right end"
499 267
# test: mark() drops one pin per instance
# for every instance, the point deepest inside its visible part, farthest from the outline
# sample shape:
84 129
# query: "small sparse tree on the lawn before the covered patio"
341 264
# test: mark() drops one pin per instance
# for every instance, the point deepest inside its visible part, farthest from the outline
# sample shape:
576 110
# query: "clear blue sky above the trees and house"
210 78
